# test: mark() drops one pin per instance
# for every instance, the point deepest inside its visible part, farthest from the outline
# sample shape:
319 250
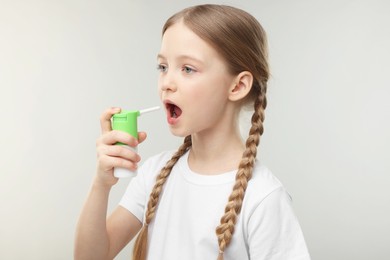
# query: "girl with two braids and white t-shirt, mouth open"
211 199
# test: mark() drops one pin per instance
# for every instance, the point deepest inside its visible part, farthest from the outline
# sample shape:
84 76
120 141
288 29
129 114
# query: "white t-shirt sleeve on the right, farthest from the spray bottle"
273 230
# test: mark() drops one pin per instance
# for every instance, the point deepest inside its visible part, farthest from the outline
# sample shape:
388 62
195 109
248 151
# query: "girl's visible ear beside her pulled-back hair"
242 85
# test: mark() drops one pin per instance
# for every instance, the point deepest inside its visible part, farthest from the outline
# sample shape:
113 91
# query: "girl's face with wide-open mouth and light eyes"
194 83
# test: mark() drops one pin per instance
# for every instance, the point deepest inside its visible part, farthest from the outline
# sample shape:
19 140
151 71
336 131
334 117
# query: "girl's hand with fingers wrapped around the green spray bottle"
110 155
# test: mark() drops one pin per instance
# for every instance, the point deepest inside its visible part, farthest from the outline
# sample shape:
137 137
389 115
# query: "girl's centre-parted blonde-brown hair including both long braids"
241 41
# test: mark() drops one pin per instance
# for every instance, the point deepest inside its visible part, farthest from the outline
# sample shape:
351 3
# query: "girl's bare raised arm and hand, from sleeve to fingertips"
96 236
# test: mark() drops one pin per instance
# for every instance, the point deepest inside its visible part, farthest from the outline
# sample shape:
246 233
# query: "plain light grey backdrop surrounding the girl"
327 130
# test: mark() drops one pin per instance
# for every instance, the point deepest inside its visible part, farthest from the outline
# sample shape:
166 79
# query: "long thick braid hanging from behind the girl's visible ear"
226 228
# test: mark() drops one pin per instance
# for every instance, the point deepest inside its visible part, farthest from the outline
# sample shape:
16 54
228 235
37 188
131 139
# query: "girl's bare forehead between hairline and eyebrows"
178 39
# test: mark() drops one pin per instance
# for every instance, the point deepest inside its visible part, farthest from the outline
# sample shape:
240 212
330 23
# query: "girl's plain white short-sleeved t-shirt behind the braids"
191 206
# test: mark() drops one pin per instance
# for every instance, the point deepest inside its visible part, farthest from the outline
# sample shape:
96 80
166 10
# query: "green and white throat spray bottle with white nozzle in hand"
126 121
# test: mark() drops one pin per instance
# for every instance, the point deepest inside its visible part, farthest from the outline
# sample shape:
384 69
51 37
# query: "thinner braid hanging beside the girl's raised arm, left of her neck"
140 247
